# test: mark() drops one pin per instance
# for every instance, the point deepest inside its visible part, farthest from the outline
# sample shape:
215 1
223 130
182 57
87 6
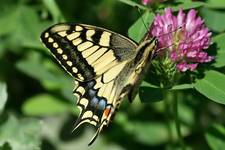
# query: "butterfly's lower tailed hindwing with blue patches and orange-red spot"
99 98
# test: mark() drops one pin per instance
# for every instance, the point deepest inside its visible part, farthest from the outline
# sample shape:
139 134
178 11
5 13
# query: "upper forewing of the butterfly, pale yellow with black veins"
87 51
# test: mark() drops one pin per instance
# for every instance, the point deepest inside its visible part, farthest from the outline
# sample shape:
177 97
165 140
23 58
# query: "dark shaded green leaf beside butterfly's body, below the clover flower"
149 94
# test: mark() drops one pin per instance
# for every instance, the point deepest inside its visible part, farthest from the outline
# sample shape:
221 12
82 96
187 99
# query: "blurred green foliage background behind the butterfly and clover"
37 108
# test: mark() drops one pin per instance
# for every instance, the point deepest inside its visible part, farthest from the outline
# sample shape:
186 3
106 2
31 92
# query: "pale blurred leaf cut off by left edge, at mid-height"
3 96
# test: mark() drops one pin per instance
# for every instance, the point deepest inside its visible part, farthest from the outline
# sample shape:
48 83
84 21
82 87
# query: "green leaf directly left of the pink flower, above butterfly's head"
138 29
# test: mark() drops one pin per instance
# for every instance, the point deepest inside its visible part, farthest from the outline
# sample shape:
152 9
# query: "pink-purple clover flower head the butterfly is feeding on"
185 36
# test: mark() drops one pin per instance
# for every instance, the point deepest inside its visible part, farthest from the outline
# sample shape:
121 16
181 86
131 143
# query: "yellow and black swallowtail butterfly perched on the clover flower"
106 67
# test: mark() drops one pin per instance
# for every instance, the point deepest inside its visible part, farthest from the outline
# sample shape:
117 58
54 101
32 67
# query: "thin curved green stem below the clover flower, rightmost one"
177 122
